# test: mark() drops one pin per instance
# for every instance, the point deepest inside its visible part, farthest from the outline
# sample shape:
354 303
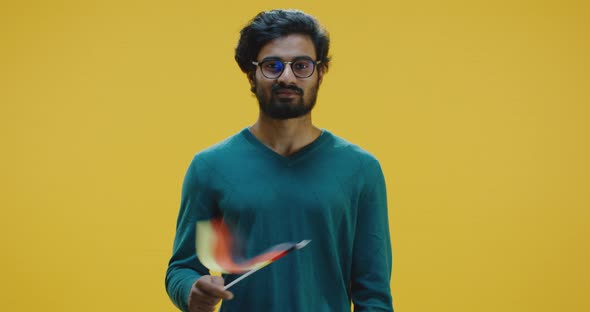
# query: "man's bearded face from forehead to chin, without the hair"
287 96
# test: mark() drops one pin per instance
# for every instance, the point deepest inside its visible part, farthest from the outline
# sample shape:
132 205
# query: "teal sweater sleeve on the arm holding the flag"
184 268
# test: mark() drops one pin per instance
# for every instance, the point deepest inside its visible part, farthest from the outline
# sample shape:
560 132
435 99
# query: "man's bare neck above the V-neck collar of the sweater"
285 137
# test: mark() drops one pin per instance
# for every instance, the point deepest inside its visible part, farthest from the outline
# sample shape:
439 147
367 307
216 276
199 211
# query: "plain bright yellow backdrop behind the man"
478 111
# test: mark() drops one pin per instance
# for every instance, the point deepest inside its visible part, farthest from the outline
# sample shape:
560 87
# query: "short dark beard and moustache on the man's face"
286 108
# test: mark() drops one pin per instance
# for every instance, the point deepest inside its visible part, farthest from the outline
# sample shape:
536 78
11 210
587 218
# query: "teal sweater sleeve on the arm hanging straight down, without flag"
371 266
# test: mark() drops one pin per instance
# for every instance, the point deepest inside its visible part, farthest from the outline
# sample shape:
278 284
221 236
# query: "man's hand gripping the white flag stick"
206 294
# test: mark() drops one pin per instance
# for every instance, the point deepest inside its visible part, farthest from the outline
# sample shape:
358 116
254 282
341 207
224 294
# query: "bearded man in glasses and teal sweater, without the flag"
285 180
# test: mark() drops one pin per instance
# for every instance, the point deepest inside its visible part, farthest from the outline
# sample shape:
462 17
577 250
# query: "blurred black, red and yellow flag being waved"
218 251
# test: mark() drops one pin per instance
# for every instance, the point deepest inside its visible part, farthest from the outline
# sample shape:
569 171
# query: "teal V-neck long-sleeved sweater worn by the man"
330 192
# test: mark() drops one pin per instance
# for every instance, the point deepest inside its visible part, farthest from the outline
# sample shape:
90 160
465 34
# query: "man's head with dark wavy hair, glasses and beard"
284 53
